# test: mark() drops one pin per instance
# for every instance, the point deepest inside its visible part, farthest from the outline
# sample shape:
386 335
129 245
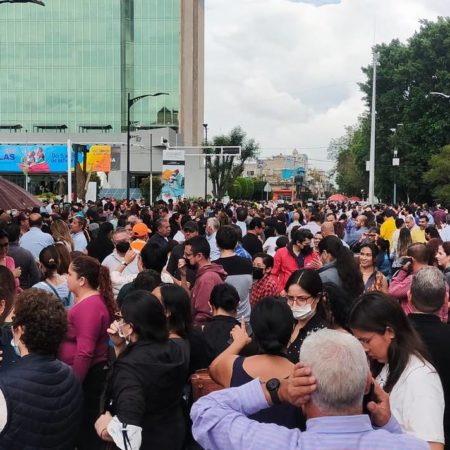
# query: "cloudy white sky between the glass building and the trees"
286 71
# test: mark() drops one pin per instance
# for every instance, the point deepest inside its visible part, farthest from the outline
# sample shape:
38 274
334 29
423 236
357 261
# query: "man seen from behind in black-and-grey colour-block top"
239 269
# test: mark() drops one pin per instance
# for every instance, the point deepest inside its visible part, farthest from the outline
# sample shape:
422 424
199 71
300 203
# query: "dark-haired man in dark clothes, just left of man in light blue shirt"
23 258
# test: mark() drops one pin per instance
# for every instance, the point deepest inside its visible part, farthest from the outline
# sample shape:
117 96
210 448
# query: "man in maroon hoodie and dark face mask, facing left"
196 253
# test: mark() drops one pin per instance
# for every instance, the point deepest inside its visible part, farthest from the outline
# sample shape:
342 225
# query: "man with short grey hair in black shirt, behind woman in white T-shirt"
427 295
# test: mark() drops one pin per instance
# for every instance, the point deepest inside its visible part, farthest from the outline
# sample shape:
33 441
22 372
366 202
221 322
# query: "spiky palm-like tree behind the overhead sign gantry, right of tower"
223 170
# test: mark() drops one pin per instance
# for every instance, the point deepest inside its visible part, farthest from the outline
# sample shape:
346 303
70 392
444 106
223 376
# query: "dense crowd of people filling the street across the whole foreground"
316 326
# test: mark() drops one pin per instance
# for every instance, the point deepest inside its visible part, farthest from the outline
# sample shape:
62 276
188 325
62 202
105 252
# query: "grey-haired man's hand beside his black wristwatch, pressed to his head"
299 386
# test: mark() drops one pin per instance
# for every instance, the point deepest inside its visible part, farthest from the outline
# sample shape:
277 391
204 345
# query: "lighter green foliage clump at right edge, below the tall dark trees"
438 175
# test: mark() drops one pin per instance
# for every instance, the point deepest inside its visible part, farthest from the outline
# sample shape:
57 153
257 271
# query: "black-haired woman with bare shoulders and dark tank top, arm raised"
271 321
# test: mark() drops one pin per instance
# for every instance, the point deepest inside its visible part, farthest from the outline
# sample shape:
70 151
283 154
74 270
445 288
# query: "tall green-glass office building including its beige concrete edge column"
66 70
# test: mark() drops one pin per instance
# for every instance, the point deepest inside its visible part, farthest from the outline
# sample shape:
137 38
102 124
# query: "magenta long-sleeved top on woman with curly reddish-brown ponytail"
86 343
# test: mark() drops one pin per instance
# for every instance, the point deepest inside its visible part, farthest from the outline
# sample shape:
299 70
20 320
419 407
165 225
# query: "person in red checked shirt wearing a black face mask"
263 284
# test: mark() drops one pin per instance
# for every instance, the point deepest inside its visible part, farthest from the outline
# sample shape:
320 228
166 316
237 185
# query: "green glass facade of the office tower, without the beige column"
68 66
